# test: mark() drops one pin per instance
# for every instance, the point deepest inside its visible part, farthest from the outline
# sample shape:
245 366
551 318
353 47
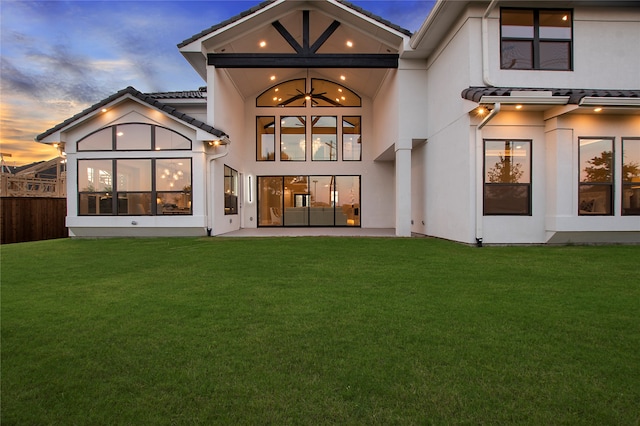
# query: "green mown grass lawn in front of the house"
318 331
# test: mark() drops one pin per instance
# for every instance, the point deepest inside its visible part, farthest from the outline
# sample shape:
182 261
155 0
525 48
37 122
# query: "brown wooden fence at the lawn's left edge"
32 219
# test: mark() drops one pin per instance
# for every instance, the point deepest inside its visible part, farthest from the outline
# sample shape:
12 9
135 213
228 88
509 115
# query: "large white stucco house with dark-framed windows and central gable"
497 122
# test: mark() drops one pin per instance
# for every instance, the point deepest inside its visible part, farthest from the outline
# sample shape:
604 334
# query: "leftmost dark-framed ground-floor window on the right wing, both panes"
507 177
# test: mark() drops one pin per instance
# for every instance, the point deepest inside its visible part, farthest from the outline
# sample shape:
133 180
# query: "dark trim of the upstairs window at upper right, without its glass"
536 39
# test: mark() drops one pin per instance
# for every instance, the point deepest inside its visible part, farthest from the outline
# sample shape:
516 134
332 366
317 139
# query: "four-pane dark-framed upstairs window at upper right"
536 39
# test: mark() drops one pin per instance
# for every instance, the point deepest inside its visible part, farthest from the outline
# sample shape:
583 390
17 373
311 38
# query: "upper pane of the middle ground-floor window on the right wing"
596 160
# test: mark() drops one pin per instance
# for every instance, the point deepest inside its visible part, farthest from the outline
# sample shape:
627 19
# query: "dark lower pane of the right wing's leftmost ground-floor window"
506 199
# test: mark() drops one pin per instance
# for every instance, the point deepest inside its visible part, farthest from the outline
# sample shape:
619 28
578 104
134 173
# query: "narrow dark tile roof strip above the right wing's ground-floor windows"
575 95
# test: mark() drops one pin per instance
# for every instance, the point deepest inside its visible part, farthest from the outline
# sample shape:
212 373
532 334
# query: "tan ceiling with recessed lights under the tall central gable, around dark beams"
366 33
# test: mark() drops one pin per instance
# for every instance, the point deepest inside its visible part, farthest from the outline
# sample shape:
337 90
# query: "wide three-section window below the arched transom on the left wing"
138 183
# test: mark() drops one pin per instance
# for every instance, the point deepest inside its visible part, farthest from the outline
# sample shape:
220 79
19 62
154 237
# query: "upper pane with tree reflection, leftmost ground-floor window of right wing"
507 162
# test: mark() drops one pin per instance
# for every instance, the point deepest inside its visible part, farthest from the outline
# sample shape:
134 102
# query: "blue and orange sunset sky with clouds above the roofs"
58 57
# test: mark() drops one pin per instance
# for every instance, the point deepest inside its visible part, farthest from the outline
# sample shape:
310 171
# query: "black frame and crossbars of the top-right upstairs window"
536 40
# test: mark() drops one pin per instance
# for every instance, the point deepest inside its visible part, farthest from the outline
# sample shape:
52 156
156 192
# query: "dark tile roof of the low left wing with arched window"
151 100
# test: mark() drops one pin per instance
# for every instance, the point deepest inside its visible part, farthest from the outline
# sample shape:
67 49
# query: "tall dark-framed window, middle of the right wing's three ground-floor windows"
596 176
